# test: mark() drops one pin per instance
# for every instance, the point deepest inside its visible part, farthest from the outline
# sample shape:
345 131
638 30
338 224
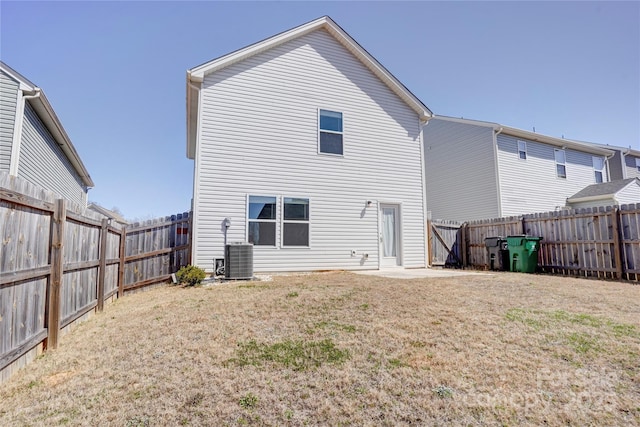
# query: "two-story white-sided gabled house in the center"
312 150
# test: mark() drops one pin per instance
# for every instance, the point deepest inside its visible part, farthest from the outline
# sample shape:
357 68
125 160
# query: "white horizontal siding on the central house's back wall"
258 136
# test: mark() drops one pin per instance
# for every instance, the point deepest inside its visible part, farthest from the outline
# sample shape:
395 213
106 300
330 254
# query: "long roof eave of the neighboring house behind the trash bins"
532 136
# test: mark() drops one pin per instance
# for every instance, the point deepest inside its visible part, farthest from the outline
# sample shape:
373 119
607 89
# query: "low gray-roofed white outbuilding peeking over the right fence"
618 192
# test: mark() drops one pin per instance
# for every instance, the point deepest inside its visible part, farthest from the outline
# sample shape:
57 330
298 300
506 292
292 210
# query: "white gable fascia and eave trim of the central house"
196 75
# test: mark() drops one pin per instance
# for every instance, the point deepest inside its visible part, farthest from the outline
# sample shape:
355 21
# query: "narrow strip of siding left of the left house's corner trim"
8 100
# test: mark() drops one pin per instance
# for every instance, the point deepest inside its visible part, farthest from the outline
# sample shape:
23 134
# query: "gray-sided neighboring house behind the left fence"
33 143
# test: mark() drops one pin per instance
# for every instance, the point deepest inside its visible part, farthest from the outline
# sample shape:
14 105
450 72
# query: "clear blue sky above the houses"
115 72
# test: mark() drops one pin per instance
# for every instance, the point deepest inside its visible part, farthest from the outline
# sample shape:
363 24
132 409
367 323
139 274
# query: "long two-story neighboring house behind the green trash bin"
477 170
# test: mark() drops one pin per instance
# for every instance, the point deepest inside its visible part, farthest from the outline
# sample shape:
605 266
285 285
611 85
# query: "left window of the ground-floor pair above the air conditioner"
261 221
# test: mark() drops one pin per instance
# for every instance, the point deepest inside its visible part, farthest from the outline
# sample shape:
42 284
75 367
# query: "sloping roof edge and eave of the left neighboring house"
45 111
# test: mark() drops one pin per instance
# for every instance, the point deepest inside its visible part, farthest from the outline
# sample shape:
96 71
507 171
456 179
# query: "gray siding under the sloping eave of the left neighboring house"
43 163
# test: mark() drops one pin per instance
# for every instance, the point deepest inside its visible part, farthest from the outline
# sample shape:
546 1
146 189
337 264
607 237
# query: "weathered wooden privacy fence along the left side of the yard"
58 265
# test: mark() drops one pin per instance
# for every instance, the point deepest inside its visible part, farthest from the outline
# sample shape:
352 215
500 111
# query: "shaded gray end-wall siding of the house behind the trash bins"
461 180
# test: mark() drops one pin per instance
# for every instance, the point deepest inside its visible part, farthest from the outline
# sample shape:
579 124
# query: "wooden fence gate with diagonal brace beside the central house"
445 243
